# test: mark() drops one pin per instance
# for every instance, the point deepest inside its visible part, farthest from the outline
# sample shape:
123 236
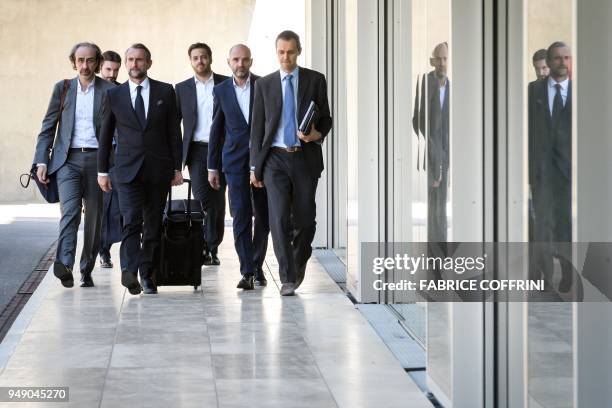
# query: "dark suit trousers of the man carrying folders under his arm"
291 203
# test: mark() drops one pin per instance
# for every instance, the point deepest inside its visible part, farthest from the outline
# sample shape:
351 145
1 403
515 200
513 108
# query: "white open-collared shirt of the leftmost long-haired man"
83 131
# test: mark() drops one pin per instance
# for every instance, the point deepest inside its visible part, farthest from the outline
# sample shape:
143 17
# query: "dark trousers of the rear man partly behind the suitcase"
213 201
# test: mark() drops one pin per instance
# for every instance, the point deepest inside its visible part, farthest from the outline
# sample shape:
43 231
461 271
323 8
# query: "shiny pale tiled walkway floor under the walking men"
220 347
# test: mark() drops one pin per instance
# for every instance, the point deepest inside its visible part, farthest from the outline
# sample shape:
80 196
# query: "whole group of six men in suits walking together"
240 132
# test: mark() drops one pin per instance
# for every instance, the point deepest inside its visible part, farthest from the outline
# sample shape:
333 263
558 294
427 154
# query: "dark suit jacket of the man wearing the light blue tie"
268 110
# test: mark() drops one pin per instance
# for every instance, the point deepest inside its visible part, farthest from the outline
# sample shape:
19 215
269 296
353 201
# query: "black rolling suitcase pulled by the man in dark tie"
182 243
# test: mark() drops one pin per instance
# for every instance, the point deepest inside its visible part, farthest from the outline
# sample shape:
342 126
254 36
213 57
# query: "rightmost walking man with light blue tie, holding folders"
286 160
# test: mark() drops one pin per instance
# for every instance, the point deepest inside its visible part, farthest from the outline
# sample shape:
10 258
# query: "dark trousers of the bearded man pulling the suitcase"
141 203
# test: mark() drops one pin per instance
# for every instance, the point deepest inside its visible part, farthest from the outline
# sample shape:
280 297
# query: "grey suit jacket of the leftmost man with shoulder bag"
60 143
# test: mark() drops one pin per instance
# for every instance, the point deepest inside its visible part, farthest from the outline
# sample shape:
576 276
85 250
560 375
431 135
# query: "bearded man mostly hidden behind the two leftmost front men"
111 216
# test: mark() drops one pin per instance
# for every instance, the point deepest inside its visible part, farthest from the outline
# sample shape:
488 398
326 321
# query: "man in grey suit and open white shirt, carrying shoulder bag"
71 157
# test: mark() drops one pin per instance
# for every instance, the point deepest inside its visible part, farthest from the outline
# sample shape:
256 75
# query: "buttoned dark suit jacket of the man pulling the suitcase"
157 147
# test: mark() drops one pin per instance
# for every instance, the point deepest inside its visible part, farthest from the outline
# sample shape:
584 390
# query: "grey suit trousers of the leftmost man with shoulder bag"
77 182
